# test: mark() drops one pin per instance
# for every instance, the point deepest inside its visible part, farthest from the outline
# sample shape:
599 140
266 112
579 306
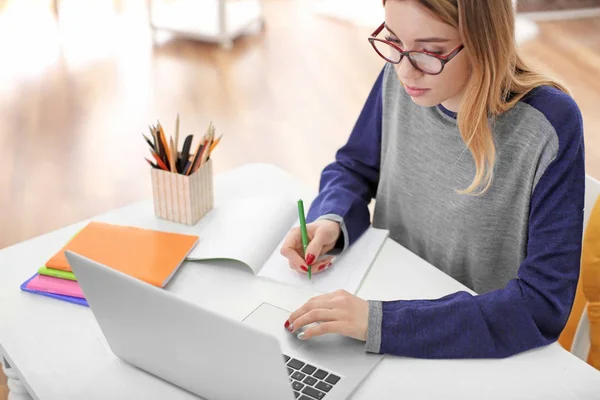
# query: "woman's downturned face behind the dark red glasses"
411 26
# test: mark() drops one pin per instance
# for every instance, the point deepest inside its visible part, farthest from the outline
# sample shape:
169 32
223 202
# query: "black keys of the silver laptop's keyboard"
308 381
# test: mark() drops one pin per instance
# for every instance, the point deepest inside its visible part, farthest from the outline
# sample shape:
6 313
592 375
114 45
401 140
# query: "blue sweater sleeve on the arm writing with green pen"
349 183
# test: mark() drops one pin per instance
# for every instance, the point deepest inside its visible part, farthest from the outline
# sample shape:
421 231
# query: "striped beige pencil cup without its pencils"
180 198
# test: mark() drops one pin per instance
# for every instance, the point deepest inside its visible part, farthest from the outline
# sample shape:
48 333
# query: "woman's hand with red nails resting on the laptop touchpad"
337 312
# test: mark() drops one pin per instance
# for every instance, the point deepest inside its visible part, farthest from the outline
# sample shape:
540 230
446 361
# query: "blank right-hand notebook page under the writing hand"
348 272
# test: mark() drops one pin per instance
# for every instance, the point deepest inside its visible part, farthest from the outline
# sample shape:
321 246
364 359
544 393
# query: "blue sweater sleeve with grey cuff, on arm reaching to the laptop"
532 309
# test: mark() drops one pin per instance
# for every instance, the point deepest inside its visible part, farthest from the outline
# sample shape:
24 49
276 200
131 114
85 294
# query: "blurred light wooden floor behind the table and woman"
76 95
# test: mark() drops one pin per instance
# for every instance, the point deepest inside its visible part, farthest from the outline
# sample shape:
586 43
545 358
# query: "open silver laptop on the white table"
212 356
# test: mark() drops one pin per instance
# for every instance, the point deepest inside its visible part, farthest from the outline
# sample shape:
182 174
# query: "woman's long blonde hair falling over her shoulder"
499 77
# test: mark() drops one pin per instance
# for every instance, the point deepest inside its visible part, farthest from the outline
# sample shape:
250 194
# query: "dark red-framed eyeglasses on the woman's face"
424 61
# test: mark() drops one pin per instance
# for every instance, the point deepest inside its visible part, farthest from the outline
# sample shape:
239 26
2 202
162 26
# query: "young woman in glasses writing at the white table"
476 164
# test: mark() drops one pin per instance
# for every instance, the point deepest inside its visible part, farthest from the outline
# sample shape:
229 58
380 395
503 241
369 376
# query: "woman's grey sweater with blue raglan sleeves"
518 246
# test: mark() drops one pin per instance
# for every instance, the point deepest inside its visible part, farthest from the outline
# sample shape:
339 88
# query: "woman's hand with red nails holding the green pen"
322 236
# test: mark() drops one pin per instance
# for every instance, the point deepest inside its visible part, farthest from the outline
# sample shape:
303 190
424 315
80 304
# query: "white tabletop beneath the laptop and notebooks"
56 351
